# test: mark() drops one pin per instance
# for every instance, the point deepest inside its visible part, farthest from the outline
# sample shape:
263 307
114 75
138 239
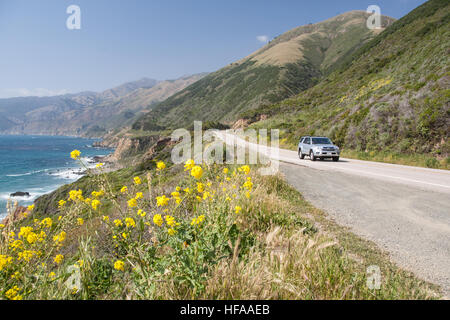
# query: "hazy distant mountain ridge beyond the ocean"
86 113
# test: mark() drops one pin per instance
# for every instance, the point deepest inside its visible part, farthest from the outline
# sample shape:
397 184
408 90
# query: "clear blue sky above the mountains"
125 40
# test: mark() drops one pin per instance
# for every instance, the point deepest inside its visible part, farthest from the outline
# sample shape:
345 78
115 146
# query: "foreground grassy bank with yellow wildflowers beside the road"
222 233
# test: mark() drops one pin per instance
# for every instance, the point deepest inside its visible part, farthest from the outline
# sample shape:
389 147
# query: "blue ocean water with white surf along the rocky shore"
40 164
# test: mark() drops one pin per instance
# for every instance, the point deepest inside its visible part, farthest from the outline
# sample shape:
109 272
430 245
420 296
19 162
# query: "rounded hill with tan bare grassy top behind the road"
287 65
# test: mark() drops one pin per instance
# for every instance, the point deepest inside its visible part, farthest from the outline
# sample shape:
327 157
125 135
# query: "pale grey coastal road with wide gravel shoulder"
405 210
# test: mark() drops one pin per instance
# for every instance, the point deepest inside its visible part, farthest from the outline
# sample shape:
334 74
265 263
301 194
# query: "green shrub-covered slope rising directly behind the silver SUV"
392 96
